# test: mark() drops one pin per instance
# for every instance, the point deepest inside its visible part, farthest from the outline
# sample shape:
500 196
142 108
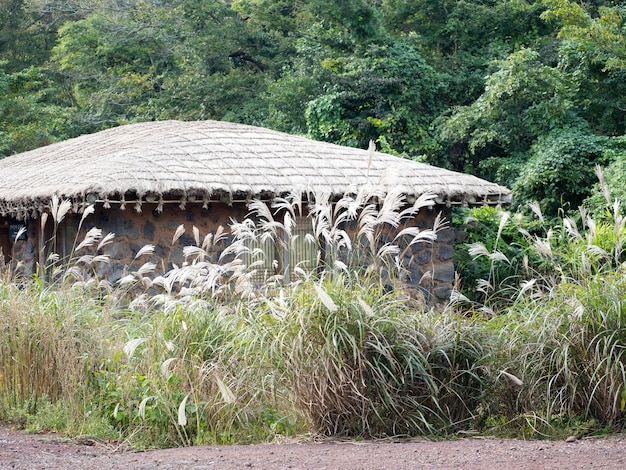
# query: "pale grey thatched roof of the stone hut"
196 161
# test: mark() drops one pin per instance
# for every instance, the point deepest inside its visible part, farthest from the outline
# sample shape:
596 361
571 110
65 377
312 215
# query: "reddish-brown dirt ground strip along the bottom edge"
47 451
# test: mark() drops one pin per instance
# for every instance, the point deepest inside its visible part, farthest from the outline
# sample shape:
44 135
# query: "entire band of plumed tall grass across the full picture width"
203 354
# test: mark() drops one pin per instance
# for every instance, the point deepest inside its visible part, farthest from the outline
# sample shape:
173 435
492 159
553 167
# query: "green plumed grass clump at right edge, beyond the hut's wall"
561 332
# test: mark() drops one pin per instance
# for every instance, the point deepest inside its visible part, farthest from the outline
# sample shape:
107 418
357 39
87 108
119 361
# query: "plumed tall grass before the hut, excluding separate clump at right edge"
200 354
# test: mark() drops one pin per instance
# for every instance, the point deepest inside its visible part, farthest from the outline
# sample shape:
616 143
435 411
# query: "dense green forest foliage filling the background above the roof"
521 92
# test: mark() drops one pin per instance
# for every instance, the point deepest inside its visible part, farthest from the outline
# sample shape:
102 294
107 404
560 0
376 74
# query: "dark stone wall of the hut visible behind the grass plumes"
133 230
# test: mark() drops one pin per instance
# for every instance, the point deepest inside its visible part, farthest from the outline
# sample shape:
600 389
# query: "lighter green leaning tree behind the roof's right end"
523 100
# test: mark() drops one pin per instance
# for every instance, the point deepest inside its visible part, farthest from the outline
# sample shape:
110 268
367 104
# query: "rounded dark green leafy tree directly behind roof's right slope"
387 95
